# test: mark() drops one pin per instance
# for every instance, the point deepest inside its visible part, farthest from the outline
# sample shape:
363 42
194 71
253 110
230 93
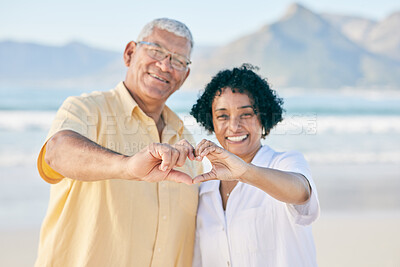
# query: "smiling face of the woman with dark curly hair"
236 126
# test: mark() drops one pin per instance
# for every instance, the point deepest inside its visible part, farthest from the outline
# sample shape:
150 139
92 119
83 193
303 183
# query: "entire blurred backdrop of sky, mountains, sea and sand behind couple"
335 63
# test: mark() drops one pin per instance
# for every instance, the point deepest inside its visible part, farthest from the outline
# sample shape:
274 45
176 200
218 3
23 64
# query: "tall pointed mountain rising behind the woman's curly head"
303 49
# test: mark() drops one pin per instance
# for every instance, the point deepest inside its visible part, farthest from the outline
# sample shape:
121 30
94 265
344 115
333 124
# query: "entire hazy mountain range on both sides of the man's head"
302 49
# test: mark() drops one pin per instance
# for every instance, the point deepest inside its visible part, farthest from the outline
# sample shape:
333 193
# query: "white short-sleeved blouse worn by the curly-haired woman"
256 229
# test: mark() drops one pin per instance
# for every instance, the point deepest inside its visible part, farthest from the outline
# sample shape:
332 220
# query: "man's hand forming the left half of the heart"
155 163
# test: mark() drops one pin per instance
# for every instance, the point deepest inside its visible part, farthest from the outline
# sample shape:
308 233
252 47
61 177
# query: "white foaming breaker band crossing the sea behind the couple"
302 124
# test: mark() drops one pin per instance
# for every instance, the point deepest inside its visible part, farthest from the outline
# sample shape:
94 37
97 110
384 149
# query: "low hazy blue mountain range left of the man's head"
28 64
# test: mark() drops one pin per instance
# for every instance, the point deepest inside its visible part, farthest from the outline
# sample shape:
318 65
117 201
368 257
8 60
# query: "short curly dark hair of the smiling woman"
266 104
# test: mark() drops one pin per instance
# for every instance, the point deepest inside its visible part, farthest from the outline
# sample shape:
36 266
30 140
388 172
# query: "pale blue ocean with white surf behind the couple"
328 127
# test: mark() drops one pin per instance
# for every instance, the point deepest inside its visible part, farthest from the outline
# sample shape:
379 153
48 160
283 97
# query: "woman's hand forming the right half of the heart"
225 165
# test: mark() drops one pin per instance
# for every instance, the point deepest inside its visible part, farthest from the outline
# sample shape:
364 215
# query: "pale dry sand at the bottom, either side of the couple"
341 239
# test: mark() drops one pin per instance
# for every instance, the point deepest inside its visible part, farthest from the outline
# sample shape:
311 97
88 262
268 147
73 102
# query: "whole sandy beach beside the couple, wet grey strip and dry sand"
359 223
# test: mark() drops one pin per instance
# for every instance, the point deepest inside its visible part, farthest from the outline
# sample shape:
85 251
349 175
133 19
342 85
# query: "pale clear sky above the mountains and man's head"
112 24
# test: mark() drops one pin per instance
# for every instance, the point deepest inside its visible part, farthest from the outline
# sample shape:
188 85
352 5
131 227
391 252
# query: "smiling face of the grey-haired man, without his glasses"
150 80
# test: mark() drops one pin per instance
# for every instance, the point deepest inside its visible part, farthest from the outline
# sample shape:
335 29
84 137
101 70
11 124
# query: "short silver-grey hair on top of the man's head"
170 25
